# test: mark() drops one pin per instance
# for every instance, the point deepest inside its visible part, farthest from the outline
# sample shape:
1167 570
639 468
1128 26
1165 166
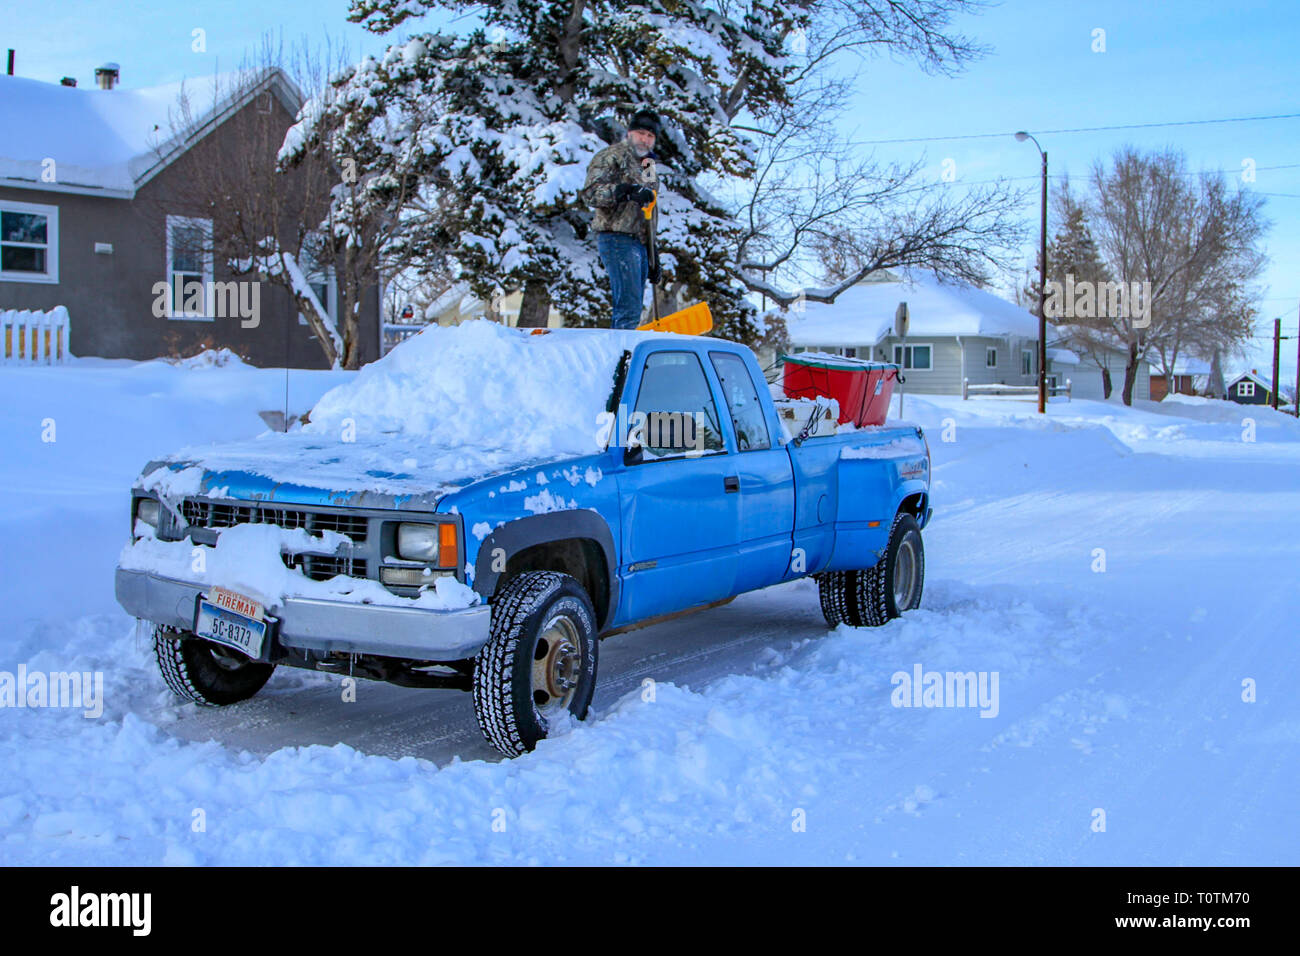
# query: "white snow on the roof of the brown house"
101 141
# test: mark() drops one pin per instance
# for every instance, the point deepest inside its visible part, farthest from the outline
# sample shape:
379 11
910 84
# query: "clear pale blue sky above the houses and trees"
1163 62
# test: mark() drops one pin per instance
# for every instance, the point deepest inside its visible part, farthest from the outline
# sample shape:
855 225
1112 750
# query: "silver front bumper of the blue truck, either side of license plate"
324 626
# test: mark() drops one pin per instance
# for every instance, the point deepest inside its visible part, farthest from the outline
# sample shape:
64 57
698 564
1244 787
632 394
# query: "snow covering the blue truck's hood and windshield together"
447 408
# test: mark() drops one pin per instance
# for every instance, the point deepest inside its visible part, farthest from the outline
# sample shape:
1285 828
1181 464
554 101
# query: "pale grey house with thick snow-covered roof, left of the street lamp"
956 332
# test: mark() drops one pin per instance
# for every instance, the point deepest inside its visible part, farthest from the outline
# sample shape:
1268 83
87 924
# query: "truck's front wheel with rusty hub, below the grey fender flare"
539 663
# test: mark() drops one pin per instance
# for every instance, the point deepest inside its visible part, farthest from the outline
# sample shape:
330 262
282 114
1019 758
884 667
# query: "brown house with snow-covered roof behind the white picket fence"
94 215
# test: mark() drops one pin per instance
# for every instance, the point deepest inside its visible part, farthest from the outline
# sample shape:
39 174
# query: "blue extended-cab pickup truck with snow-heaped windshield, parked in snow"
496 565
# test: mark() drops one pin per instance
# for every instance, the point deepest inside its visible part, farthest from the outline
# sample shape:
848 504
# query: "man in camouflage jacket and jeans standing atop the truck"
621 185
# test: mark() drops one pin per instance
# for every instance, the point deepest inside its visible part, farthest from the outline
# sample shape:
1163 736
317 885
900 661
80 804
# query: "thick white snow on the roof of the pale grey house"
865 314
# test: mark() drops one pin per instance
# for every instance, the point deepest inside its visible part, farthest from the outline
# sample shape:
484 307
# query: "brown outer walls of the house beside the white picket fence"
110 299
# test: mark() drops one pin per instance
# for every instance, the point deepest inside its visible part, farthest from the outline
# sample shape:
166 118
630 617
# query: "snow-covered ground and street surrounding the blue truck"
746 734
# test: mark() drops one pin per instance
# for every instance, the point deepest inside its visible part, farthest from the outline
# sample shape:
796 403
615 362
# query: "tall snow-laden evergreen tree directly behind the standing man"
496 131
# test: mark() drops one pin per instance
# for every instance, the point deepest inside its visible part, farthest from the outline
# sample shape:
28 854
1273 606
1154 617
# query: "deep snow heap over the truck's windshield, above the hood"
482 386
